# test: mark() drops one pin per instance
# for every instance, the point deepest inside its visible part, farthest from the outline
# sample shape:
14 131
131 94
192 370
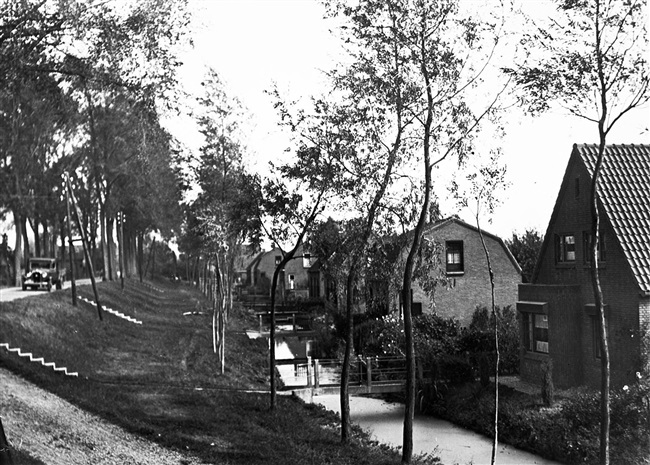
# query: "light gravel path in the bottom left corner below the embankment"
53 430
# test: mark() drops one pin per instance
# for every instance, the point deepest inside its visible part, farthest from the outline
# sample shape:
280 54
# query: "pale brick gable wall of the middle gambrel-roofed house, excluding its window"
472 288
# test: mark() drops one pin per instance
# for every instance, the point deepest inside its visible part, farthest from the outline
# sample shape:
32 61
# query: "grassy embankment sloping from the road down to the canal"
145 377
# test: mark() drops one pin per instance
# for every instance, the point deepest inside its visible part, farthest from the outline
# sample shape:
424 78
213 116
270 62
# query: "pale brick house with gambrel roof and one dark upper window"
466 273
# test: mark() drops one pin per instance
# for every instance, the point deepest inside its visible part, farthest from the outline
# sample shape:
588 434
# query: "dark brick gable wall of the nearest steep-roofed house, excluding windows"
620 291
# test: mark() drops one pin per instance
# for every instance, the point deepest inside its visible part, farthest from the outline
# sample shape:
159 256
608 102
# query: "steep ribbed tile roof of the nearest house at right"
624 189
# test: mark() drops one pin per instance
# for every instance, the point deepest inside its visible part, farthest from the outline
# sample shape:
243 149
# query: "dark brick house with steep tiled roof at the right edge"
558 315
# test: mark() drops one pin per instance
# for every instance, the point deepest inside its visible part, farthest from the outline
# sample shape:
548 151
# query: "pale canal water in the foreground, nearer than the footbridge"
454 445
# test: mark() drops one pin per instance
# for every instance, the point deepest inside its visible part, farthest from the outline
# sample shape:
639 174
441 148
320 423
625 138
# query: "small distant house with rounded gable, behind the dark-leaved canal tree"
294 278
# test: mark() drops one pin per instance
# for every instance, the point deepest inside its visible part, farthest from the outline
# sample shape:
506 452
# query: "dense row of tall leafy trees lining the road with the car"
81 88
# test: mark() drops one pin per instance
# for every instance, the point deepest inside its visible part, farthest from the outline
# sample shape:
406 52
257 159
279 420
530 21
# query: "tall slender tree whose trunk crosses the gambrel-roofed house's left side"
423 51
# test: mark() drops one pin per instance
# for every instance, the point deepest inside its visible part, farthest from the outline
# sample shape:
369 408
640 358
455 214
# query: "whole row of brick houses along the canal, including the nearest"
557 314
